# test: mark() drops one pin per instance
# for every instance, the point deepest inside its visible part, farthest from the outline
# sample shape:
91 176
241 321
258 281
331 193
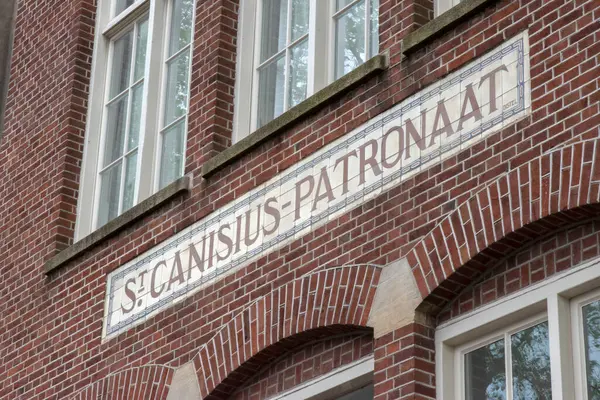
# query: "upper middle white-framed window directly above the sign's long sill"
294 49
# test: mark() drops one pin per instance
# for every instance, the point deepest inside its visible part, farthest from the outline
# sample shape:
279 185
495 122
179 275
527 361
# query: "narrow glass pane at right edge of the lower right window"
591 330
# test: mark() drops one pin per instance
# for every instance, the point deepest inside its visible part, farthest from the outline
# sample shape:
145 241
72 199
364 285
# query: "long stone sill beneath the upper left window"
181 185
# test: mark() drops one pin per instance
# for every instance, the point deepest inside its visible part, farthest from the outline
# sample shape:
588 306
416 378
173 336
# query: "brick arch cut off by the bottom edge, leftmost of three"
149 382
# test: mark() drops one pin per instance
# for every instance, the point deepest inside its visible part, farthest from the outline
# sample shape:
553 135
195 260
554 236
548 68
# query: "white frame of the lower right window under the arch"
557 297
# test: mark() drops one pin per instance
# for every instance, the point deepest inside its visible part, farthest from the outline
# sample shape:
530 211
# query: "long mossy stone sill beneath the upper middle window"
293 115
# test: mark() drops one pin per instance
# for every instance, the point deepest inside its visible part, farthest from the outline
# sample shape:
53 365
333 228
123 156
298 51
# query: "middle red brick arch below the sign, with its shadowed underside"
325 302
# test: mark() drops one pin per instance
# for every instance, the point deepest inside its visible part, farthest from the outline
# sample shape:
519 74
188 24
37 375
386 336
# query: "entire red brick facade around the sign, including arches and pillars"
490 220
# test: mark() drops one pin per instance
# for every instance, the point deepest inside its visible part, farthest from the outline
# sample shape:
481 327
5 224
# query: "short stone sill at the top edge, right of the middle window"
441 24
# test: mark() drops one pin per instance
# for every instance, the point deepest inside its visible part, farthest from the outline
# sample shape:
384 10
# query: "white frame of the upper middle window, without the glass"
321 57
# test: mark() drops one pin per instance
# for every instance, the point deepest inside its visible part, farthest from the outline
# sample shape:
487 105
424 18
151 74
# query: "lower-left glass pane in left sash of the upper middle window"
271 89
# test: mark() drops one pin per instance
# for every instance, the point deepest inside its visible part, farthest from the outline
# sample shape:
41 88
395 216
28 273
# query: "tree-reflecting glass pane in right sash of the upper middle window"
350 40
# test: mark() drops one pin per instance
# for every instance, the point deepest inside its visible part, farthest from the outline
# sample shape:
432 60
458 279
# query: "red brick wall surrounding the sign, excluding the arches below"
50 331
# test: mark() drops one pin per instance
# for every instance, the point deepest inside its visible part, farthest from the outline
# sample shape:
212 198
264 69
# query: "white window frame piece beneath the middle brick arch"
338 382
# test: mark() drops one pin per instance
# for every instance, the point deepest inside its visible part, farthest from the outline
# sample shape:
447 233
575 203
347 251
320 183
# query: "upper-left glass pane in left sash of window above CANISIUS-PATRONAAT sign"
274 27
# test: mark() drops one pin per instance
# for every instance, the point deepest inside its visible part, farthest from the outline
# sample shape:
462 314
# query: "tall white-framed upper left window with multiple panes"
136 132
